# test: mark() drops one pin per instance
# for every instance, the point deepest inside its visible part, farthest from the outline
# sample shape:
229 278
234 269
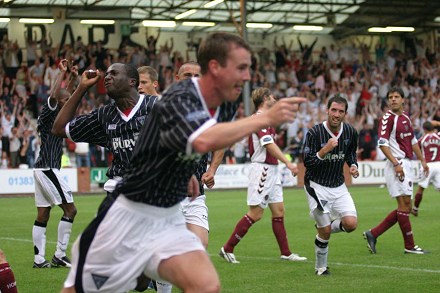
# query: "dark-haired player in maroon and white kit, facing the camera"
397 142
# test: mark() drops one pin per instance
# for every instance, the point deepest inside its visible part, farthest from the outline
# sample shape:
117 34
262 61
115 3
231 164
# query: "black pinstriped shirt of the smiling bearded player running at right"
329 171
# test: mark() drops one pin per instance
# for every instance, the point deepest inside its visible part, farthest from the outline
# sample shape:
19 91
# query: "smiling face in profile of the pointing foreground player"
232 77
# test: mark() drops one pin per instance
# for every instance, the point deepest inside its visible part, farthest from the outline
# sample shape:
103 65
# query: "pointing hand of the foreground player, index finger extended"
284 110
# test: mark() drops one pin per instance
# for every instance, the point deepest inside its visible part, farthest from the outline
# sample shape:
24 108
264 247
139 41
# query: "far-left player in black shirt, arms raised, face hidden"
50 188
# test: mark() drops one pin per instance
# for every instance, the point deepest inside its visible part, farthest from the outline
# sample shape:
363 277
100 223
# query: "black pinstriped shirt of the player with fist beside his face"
108 127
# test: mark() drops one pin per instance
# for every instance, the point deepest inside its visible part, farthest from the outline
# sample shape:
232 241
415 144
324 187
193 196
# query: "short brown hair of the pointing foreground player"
216 46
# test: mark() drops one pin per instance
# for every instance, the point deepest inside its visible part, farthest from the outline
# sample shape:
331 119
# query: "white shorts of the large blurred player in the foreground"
131 239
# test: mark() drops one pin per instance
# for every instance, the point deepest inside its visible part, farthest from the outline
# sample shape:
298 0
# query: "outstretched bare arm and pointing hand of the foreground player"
231 132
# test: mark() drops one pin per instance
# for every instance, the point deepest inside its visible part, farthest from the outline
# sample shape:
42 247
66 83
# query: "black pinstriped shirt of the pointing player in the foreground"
163 160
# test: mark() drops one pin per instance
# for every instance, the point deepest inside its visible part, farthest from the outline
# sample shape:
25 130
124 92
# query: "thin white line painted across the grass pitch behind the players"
271 258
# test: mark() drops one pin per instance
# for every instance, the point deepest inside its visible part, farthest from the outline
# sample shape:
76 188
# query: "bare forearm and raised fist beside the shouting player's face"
67 113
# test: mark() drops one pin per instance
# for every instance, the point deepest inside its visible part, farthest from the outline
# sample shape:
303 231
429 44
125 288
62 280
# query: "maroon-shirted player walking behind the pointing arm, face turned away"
264 188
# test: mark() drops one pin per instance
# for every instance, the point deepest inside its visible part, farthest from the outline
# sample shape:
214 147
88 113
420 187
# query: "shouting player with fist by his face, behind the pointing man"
115 126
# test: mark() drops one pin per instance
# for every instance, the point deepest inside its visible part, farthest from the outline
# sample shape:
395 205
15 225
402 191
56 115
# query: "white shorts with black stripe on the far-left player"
50 188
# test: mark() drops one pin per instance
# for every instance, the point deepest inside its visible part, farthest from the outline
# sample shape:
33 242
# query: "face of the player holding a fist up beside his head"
116 80
